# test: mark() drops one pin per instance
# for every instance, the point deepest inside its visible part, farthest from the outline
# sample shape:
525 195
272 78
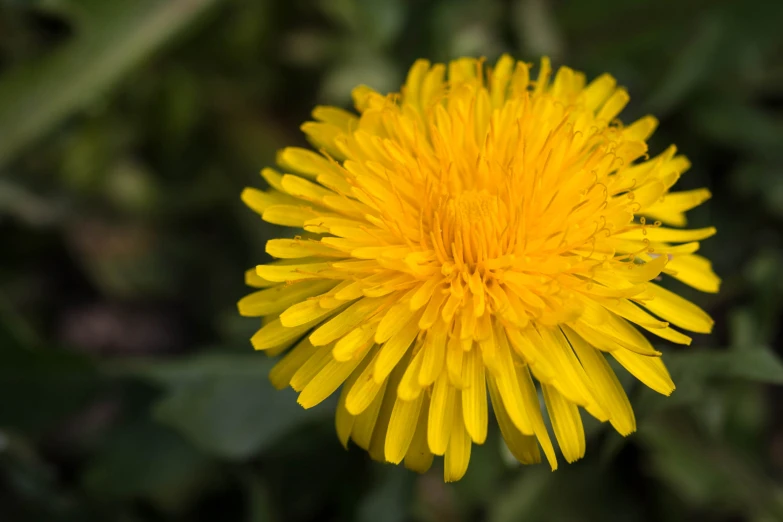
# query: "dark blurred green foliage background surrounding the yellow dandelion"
128 388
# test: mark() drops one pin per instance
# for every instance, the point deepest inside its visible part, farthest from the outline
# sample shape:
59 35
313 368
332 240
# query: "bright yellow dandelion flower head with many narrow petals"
473 234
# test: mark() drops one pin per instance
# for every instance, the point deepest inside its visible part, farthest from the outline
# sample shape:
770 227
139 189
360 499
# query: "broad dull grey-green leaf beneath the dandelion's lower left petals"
225 404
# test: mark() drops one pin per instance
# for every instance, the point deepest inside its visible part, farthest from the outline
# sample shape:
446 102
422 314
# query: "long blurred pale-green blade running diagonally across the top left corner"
111 38
